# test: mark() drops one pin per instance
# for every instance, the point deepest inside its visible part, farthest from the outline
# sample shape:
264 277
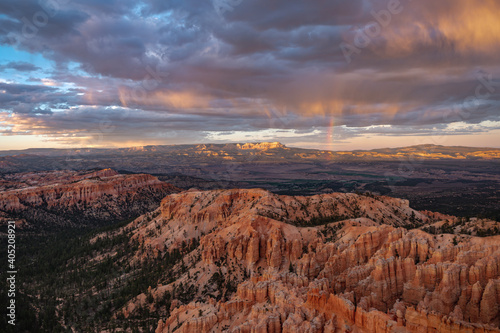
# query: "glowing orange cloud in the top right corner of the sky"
464 26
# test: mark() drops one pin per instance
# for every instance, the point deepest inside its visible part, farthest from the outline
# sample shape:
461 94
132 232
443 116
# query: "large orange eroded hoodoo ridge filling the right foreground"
269 263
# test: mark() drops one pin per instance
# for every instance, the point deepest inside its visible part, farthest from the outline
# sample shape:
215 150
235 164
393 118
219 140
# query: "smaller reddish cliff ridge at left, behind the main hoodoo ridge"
65 197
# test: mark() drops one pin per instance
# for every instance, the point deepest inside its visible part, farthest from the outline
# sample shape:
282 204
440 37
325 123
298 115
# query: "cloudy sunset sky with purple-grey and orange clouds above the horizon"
328 74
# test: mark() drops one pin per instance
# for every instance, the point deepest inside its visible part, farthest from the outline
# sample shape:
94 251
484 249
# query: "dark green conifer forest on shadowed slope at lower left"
73 279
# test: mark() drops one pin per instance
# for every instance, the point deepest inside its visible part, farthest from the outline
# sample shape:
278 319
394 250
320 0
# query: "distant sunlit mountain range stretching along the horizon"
233 151
